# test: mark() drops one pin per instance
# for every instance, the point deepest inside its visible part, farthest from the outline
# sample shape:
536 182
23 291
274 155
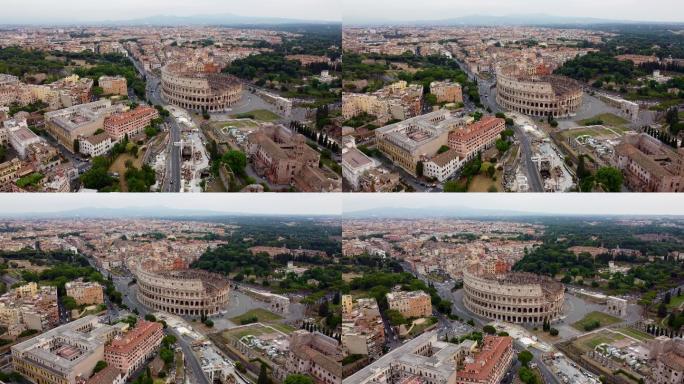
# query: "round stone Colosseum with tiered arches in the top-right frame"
531 93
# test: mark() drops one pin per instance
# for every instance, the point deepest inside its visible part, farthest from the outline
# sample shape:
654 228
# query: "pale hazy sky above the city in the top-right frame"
411 10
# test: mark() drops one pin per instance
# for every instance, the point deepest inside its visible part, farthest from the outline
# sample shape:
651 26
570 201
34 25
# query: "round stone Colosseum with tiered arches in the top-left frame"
188 88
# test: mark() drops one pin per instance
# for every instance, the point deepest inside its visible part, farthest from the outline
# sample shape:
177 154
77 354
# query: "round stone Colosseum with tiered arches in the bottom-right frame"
514 297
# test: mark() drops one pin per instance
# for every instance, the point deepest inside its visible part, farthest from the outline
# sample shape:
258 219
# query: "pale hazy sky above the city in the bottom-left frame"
256 203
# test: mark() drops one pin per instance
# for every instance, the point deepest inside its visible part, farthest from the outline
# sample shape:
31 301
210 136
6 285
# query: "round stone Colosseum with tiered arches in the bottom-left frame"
185 292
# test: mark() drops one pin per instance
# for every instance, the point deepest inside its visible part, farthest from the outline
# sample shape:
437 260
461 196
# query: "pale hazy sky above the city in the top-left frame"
22 11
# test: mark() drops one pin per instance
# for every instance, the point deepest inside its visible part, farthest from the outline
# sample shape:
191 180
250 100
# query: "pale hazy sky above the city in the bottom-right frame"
571 203
